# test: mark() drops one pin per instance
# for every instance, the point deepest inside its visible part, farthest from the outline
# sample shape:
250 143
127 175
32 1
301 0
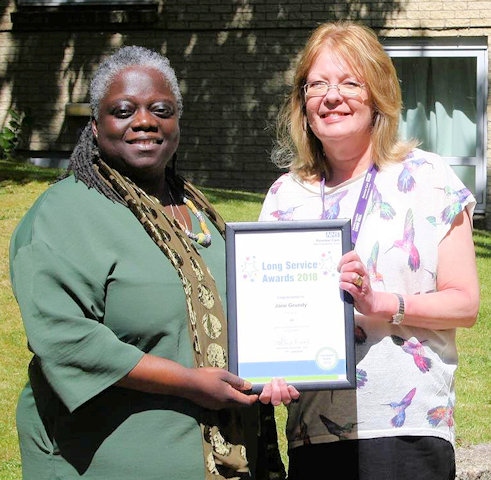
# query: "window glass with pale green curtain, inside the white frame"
439 103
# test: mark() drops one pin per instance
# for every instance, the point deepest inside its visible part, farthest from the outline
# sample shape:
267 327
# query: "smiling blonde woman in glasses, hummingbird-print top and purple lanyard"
412 272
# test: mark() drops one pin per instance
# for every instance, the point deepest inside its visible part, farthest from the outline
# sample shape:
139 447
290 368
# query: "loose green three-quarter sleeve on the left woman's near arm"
60 270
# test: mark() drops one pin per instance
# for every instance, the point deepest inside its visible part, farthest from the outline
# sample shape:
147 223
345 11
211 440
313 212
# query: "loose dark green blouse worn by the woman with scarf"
95 292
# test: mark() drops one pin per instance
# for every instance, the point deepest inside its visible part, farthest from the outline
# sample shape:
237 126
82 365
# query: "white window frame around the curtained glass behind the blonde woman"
463 47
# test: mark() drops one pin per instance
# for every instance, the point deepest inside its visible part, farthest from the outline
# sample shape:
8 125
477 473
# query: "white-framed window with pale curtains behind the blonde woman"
444 90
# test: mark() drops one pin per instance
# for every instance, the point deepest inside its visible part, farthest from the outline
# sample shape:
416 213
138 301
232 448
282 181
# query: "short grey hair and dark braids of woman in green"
86 152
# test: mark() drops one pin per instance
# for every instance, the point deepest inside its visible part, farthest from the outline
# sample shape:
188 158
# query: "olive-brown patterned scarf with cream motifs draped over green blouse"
222 431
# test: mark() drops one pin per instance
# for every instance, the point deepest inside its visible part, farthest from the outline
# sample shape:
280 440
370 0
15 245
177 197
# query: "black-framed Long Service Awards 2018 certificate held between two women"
287 316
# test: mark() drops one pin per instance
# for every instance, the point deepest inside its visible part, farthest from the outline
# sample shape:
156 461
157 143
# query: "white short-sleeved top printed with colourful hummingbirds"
405 375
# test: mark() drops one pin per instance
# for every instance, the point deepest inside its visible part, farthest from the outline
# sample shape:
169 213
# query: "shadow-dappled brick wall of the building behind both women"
234 60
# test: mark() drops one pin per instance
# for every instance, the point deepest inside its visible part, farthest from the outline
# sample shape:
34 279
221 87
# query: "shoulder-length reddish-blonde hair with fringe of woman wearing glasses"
296 147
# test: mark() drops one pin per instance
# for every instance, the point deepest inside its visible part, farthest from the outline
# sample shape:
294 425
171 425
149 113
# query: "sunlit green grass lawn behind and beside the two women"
20 184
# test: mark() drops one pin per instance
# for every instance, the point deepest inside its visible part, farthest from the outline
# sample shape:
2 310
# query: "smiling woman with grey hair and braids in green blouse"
119 273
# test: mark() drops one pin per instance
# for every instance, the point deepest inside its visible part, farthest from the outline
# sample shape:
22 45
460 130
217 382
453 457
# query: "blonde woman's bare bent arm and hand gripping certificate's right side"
455 301
